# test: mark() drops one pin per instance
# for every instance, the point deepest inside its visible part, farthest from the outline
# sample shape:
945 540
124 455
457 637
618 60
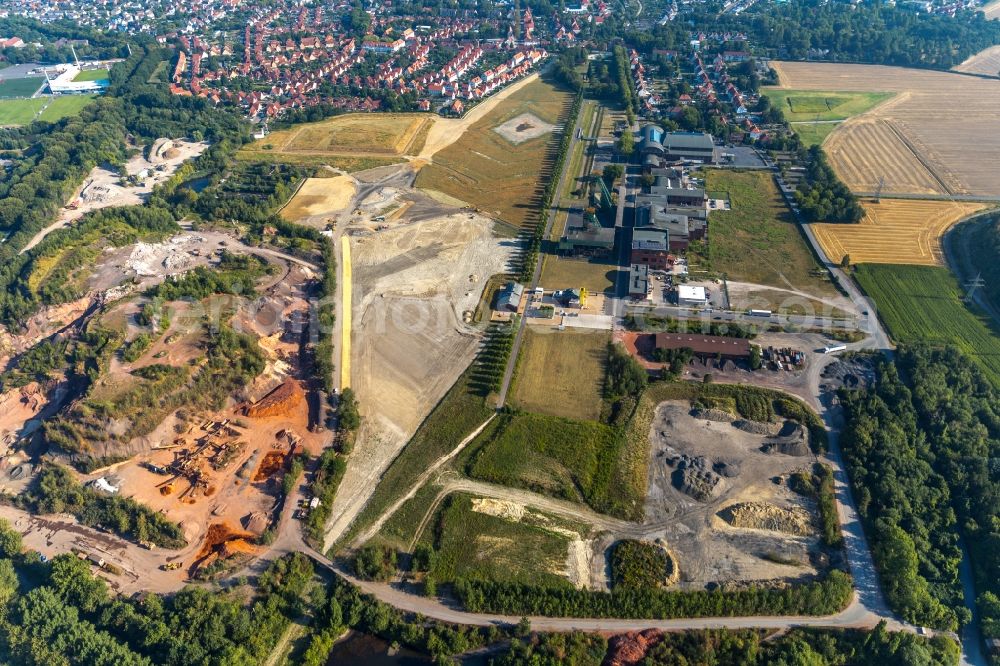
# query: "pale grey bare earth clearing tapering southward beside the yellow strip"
412 285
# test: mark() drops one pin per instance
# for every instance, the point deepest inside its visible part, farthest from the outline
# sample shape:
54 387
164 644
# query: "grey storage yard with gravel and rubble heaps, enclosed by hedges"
718 485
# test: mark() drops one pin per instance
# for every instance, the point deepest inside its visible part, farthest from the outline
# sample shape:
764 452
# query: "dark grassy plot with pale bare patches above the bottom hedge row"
471 544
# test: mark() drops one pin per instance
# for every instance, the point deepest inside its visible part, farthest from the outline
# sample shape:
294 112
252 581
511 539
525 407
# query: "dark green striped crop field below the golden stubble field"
924 304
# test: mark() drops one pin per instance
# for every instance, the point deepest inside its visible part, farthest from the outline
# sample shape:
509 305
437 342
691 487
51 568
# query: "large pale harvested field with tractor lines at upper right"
940 135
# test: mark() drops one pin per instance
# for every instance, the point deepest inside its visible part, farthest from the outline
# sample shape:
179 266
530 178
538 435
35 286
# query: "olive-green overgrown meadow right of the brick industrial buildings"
758 241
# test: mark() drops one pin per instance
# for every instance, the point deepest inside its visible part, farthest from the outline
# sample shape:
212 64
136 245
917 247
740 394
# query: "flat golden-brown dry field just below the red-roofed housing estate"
351 134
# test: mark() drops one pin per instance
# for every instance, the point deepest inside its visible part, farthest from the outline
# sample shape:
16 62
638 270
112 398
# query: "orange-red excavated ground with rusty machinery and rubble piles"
221 478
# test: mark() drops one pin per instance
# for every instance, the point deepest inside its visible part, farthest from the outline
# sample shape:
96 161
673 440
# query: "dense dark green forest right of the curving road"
922 448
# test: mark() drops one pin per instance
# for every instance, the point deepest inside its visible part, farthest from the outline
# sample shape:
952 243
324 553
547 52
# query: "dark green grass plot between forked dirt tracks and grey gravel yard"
575 460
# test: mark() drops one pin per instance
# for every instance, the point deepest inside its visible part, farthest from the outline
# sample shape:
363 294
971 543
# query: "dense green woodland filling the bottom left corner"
58 612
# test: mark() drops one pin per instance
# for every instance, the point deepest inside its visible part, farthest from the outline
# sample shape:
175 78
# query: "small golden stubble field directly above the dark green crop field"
896 231
